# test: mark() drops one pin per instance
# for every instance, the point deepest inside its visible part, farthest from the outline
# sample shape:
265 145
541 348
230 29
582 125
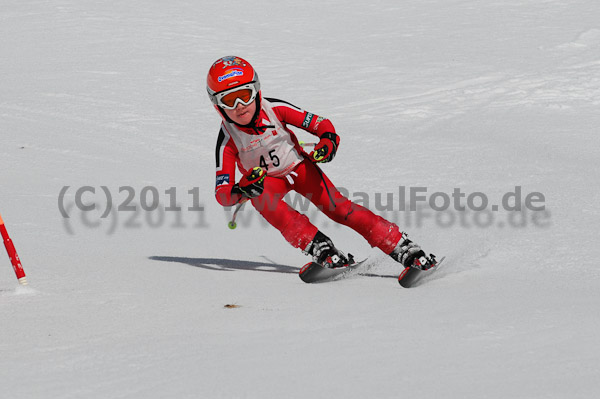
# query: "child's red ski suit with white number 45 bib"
273 146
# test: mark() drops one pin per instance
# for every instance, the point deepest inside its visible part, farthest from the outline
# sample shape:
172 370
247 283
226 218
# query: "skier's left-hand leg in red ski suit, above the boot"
294 226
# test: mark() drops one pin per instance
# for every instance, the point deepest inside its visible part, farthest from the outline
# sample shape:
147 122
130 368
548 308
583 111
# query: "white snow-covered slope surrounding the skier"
481 96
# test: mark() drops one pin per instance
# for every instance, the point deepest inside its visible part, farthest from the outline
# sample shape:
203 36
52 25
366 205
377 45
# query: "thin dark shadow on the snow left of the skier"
229 264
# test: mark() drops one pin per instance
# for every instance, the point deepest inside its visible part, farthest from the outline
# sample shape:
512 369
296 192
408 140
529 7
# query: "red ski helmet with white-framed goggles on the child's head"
228 75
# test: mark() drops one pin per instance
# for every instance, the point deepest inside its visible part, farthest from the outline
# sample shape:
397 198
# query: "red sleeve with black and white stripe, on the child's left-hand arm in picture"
227 155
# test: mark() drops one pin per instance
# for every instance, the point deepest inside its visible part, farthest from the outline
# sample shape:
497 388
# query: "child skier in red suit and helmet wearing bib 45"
254 135
